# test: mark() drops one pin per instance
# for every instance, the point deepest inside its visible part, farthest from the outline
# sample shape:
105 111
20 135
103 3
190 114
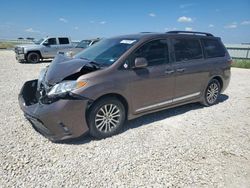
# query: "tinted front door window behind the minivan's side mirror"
156 52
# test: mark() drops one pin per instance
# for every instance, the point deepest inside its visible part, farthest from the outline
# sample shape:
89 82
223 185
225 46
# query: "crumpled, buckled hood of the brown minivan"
62 67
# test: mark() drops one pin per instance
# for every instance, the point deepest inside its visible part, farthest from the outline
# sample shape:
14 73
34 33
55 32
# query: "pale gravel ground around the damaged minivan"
188 146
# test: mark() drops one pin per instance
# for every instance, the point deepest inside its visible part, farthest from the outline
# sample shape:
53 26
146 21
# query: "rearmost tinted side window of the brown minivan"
213 48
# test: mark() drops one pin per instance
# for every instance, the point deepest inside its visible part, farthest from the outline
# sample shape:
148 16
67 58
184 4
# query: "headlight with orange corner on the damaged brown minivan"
65 87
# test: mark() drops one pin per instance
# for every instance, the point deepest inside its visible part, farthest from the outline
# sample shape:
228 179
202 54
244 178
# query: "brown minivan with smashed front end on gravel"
123 78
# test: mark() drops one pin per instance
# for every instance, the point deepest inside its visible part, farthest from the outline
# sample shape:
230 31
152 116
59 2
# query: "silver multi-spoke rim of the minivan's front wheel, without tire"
107 118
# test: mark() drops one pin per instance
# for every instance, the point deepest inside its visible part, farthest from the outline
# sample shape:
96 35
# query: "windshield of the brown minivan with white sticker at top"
107 51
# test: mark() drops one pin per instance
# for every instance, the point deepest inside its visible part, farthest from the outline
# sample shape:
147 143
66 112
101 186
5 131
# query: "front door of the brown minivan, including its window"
152 87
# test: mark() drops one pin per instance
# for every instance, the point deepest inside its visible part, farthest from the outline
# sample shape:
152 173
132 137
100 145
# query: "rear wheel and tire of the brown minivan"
212 93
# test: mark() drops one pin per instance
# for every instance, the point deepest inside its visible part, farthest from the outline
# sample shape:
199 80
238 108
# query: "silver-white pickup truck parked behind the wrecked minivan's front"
45 48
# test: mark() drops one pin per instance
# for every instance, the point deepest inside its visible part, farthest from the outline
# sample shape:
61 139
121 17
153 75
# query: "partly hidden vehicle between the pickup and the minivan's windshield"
79 47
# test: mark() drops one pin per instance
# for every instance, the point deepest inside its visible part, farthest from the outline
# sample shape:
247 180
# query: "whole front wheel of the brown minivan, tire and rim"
106 117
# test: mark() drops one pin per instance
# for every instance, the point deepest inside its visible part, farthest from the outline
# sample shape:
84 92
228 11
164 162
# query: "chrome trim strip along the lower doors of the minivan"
168 102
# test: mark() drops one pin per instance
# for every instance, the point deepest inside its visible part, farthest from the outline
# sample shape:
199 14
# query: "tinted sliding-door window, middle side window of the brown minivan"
187 49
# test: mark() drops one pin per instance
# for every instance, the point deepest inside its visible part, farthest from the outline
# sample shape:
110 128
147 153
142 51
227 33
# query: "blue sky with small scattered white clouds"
83 19
